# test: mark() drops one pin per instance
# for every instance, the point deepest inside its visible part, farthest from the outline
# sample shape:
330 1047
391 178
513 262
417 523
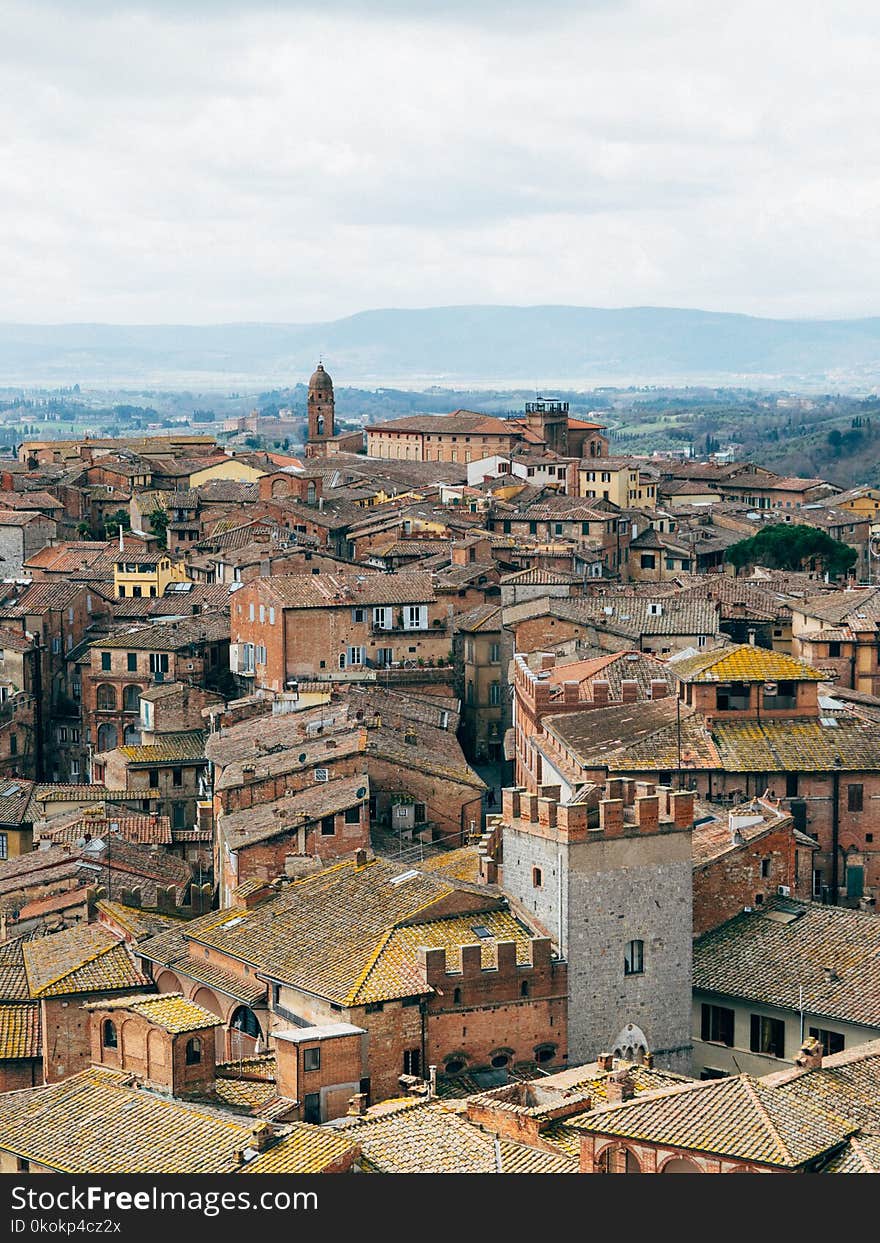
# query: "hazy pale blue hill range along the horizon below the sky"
533 346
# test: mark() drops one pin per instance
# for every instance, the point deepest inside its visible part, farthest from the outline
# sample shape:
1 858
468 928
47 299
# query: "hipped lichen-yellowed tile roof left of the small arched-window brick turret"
80 960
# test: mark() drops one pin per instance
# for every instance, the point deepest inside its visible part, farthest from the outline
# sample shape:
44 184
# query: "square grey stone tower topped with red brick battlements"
610 877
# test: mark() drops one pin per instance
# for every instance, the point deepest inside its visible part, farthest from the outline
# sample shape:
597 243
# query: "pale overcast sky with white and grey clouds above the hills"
201 161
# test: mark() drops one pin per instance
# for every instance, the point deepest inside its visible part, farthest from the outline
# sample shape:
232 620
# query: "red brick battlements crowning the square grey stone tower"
620 809
